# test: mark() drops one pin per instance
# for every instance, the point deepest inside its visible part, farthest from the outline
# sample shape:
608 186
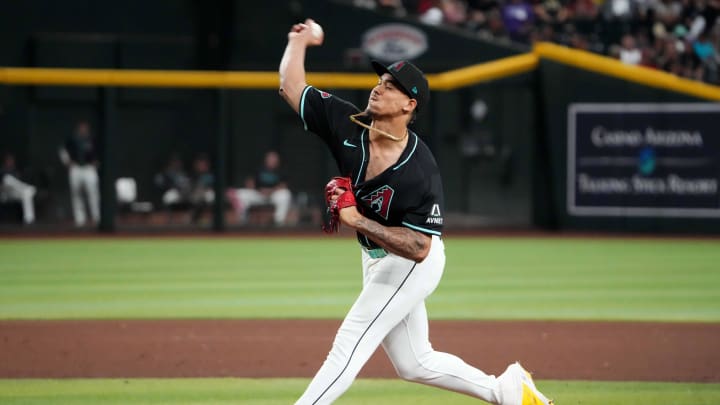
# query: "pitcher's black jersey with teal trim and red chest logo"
408 193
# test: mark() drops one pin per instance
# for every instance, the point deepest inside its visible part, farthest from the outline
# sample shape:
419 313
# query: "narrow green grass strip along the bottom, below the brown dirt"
363 392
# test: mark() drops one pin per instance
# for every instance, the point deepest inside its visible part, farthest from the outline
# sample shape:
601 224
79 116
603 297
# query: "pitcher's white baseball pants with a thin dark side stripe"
391 311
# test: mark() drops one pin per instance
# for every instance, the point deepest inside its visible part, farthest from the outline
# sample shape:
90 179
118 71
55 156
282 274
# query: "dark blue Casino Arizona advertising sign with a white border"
643 160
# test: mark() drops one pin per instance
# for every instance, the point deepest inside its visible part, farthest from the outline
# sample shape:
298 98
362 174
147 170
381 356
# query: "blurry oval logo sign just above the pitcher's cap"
391 42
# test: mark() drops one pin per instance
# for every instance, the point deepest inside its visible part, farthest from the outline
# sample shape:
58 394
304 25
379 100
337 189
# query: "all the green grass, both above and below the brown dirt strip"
485 278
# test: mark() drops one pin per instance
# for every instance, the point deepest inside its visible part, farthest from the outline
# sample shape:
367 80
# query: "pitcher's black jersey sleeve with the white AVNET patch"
427 217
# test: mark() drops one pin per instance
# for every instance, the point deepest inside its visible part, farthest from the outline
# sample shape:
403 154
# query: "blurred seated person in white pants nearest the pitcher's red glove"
267 187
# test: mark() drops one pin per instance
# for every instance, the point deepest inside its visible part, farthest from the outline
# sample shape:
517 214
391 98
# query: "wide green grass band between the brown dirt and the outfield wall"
524 278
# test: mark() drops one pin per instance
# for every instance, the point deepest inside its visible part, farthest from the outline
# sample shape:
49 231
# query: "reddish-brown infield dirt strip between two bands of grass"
619 351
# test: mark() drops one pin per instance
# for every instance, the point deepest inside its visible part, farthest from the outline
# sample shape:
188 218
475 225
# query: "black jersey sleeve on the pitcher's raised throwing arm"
324 114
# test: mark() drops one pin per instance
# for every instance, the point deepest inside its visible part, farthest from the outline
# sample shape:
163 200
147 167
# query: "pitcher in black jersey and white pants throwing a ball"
390 192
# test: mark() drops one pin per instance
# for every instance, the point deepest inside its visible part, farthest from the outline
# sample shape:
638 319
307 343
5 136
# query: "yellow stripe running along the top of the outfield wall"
449 80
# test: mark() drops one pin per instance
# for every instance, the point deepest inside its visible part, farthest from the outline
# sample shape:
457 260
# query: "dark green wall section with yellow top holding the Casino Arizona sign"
625 148
